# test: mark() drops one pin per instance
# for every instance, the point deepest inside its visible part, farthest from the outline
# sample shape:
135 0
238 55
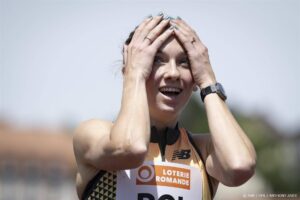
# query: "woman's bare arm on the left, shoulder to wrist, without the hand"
123 144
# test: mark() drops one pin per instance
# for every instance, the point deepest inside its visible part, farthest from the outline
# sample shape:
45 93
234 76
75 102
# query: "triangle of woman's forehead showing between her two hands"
172 46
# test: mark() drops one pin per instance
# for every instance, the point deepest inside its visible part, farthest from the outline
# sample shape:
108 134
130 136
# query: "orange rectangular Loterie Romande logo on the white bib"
163 175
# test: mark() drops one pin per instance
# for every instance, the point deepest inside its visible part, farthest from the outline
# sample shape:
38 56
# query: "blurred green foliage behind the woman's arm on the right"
278 153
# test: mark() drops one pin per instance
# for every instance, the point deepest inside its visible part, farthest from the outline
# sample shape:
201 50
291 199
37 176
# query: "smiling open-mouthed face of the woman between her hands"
170 84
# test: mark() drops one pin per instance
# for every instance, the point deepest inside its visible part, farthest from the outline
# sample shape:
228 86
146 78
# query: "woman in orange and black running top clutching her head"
144 154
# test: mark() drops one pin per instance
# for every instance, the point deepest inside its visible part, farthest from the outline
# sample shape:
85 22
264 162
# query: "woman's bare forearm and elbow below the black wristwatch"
231 156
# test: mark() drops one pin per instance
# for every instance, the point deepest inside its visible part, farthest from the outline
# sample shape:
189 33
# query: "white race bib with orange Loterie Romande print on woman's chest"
159 181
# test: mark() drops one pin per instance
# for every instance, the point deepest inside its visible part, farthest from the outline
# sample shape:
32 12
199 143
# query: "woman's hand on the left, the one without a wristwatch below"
147 39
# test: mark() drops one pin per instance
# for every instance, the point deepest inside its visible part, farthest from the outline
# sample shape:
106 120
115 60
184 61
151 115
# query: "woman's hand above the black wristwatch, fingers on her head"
197 53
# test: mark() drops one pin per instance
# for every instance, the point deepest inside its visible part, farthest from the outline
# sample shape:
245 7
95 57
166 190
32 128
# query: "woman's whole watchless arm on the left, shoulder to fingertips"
124 144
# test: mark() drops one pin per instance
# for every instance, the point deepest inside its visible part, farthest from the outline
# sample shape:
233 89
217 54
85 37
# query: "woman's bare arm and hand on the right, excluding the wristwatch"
231 157
